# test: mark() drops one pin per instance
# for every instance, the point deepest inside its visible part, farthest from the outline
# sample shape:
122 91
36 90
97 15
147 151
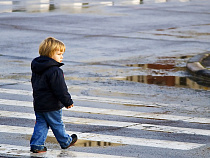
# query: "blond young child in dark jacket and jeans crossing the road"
50 95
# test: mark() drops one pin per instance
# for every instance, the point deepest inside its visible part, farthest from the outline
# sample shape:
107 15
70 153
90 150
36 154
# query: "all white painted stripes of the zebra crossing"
14 149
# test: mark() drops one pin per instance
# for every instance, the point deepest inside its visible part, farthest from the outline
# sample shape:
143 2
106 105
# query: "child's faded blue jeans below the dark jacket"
44 120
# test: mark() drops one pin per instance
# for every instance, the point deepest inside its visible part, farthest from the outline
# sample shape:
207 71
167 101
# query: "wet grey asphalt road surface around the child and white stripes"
135 50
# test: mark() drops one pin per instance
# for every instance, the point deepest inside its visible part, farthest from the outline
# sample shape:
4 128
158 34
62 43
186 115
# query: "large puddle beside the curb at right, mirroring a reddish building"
163 73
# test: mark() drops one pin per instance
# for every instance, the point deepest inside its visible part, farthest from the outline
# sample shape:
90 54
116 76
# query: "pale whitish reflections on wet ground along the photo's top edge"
70 6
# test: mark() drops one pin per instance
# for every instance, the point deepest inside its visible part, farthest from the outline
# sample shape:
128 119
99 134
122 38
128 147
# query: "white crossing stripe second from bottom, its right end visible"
112 139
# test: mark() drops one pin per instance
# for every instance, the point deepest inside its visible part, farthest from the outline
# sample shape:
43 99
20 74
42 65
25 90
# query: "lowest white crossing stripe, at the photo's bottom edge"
7 149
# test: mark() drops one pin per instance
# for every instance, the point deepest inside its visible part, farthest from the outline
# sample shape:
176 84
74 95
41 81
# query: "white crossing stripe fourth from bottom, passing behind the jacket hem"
117 112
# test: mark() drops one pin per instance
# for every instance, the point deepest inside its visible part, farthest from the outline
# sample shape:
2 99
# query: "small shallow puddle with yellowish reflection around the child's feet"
82 143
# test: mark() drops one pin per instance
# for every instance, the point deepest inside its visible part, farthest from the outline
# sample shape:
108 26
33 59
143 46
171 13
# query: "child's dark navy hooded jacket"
50 92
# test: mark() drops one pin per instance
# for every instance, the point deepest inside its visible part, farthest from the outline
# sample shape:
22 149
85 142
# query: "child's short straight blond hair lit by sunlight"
49 46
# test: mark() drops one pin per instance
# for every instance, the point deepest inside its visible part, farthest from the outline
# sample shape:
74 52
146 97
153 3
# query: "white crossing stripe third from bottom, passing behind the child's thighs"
131 125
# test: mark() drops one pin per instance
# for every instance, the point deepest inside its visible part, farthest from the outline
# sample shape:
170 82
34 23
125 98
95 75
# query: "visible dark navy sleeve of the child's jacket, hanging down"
59 88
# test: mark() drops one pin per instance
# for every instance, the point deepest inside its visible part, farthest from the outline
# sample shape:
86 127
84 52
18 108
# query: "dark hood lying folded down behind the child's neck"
42 63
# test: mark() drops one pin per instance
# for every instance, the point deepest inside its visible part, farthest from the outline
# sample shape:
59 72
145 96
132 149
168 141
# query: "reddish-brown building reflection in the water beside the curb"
162 79
